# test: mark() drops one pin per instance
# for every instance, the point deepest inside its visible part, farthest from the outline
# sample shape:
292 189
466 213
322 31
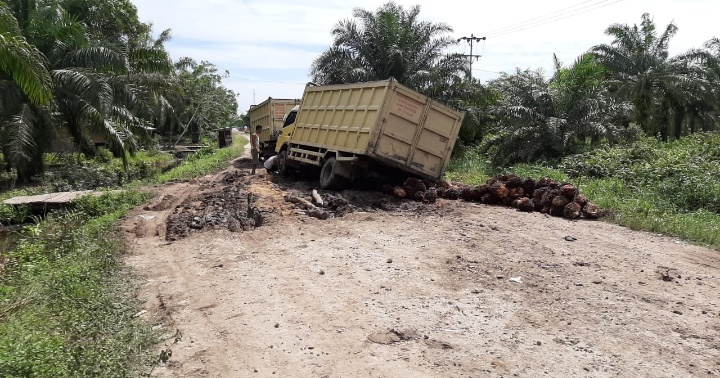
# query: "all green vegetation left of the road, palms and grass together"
90 99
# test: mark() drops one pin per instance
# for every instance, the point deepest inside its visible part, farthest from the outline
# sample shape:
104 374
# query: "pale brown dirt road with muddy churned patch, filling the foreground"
403 289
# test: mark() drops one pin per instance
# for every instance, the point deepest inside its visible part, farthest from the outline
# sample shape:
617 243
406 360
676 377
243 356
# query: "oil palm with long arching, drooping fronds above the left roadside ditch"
113 93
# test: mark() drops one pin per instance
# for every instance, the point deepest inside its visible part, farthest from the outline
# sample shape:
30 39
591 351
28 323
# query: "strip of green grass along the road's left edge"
66 308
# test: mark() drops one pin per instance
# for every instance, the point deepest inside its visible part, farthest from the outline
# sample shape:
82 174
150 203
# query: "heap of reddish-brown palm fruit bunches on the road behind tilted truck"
525 194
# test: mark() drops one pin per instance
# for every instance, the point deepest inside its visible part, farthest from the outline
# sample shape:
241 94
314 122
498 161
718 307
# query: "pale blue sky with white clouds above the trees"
269 45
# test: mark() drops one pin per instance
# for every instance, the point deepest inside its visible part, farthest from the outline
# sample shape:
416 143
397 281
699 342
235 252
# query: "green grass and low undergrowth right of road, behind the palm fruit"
668 188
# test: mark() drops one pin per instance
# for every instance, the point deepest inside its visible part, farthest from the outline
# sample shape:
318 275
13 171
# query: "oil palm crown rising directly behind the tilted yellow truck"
390 42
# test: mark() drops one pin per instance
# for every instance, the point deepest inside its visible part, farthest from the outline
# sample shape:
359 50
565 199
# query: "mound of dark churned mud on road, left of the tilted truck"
229 206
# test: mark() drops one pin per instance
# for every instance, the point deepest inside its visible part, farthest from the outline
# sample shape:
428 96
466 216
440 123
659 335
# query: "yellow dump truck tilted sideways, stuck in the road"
351 131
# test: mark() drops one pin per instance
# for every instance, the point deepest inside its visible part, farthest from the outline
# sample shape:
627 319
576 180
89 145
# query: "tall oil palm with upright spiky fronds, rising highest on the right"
659 86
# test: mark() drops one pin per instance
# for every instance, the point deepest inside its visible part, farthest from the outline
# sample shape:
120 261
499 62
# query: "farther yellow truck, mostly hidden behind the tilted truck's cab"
269 114
